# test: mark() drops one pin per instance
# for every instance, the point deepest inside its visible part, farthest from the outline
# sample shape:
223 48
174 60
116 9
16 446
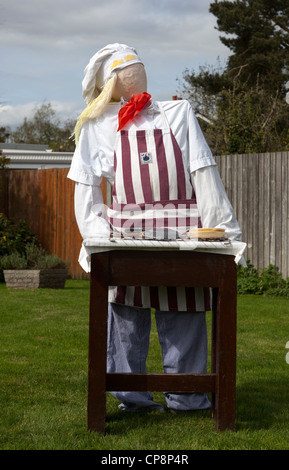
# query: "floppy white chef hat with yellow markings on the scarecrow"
103 65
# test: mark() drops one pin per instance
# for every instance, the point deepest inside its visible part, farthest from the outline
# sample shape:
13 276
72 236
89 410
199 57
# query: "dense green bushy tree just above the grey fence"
248 120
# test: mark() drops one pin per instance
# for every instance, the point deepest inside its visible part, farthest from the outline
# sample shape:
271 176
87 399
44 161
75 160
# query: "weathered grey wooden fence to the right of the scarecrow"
258 188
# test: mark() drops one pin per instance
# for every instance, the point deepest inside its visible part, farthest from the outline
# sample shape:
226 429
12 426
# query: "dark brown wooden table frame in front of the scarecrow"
166 268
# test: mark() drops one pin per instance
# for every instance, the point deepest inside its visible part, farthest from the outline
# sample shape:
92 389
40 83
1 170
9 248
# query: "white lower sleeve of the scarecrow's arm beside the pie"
214 206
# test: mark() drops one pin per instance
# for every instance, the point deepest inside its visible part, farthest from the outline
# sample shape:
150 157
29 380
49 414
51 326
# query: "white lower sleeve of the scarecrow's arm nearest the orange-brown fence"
90 211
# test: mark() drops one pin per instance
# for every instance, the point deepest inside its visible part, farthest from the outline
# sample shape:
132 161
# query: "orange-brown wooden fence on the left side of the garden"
45 200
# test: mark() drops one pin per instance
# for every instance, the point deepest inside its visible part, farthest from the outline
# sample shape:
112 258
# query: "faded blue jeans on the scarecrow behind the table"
183 340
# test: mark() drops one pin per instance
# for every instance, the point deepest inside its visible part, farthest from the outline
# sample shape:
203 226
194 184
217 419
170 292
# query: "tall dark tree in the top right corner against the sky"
257 32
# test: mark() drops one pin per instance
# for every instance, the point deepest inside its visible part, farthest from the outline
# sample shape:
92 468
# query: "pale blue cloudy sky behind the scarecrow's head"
45 46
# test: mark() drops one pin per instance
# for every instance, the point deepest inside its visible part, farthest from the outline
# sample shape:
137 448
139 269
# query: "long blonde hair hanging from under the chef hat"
96 107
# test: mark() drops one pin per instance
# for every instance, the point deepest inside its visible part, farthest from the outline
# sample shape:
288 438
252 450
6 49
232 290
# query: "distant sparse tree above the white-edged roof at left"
45 128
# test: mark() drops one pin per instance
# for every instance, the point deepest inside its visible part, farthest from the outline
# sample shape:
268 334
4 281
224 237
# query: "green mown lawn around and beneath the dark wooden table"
43 367
